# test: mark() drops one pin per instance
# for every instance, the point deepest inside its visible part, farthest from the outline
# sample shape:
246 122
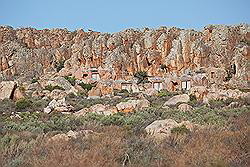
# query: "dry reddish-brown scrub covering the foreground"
114 146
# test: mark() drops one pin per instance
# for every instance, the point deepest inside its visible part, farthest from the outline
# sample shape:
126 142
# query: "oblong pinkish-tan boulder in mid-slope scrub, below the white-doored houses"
132 105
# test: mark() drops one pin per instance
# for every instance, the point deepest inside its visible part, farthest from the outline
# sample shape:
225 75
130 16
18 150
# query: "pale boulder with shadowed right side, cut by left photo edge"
7 89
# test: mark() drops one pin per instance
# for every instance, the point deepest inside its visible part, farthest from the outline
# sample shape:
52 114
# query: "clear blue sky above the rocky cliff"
117 15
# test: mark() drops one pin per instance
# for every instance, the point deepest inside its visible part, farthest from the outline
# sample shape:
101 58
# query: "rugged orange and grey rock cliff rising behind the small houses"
27 52
